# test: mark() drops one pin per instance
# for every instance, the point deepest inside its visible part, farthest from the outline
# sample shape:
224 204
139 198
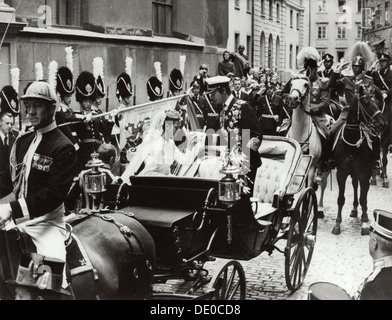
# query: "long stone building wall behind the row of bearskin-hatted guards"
147 31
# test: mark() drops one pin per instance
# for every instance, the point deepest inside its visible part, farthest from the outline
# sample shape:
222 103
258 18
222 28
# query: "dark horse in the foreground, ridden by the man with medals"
121 252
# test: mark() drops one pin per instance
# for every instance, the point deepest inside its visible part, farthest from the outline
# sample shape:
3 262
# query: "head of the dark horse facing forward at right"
368 111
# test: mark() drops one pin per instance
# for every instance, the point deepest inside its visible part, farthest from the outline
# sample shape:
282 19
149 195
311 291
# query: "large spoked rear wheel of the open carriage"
301 239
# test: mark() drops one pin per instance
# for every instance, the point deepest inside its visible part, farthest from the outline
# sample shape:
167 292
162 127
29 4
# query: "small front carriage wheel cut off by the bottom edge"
230 283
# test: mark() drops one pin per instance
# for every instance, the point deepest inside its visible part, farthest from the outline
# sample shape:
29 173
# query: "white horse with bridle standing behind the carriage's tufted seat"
302 128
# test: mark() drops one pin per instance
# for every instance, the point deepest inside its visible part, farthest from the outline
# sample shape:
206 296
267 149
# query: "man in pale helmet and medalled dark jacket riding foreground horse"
43 164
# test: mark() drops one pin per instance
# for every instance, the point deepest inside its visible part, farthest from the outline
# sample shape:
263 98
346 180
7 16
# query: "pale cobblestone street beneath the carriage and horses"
342 259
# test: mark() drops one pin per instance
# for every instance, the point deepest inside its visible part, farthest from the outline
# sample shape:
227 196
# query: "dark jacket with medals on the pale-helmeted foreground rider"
52 169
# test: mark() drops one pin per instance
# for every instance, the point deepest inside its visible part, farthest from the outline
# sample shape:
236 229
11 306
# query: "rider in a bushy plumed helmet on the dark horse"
358 56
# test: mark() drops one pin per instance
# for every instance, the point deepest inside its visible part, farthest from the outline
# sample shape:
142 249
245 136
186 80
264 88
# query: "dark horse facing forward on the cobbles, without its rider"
353 154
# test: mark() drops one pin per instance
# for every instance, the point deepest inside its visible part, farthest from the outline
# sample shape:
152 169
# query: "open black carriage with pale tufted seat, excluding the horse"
192 223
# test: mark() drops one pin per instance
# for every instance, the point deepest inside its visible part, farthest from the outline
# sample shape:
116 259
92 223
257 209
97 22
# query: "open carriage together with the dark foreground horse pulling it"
152 228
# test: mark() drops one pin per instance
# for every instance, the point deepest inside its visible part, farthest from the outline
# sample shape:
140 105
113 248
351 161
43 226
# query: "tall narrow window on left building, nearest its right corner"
162 16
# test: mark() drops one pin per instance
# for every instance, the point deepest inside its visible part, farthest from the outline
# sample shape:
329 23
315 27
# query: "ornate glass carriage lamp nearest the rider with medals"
94 179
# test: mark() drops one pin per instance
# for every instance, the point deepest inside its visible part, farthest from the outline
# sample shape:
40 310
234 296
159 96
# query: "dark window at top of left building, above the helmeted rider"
68 13
